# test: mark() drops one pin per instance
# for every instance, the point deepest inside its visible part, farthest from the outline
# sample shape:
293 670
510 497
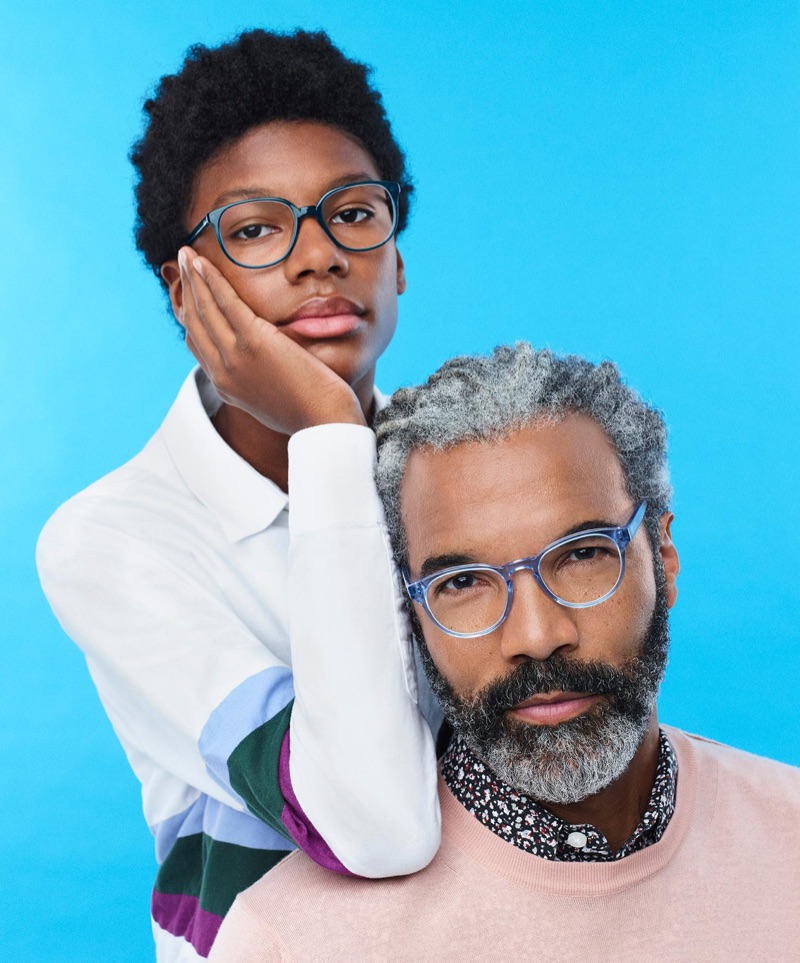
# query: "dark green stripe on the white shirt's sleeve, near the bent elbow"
252 761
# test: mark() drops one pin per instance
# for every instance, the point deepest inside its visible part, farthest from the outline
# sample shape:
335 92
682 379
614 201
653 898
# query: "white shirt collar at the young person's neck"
244 501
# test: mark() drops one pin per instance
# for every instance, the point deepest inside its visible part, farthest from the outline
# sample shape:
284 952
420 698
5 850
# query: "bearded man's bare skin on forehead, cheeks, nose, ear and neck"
514 497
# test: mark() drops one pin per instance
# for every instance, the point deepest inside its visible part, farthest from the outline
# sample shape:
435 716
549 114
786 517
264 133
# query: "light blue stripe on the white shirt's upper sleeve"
251 704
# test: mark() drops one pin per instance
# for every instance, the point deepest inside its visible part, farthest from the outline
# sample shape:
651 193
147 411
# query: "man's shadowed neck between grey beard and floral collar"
616 810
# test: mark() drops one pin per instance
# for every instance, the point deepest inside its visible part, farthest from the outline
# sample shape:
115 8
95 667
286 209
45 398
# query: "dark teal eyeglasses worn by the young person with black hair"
262 231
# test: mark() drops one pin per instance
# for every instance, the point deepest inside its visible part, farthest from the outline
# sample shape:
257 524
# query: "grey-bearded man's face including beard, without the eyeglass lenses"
555 700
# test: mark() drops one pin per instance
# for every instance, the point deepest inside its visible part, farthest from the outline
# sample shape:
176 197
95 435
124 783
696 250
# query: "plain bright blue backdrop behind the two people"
616 179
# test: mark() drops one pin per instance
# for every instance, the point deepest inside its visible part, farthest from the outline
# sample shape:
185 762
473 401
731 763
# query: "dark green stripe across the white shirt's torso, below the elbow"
213 871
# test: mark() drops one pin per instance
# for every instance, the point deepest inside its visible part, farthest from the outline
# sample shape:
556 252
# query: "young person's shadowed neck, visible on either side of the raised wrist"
267 450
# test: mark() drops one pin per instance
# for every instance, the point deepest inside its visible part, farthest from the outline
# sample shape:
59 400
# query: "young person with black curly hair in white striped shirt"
249 688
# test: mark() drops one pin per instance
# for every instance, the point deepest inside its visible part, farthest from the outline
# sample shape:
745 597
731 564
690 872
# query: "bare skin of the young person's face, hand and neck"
274 380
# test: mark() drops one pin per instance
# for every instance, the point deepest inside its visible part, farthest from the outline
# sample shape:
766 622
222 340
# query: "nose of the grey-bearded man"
536 625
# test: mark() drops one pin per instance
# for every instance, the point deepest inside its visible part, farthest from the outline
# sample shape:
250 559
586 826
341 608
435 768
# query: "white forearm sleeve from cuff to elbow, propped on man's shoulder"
362 762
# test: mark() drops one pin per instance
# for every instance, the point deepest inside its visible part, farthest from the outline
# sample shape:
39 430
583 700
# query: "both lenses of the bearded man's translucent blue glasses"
580 572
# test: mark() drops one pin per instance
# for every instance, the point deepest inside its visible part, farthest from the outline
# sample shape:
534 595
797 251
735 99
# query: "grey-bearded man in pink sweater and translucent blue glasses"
528 500
